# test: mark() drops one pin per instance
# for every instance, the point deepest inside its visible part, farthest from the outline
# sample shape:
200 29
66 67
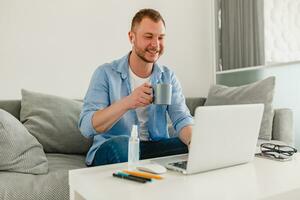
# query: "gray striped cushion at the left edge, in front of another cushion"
20 151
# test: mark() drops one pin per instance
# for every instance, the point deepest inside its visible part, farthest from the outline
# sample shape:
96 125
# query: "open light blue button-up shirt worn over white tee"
110 83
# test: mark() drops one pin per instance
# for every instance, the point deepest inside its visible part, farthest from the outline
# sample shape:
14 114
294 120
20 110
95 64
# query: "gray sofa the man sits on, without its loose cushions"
54 184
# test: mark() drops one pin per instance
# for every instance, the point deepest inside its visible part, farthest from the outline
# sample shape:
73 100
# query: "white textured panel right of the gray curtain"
282 30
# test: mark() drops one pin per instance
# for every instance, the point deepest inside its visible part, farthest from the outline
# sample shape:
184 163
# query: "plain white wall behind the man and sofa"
54 46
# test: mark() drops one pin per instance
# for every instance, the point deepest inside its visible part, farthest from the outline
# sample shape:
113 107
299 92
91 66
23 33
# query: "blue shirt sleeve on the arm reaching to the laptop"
178 111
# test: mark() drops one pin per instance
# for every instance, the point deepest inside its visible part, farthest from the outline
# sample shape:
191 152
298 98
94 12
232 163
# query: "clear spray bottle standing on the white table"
133 148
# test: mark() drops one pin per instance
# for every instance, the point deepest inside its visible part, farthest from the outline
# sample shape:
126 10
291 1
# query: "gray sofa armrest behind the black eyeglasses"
283 127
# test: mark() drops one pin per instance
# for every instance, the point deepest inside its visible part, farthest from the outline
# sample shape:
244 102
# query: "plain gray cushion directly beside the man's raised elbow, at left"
53 121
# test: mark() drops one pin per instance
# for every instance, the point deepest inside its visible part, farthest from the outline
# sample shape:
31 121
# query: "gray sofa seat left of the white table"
54 185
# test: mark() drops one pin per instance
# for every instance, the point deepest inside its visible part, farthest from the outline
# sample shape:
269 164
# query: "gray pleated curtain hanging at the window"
241 33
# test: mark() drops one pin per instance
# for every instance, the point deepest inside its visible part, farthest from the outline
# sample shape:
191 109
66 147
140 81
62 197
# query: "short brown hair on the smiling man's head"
146 13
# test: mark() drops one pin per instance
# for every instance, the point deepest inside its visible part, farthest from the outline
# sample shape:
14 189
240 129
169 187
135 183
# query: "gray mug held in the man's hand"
162 94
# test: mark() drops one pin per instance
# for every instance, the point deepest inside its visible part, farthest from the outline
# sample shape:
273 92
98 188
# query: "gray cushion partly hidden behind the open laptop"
258 92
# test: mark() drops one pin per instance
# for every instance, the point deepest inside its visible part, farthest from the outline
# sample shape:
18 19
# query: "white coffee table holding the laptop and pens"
261 179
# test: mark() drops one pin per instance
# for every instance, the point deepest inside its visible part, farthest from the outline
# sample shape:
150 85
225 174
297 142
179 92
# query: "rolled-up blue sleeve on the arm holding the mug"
95 99
